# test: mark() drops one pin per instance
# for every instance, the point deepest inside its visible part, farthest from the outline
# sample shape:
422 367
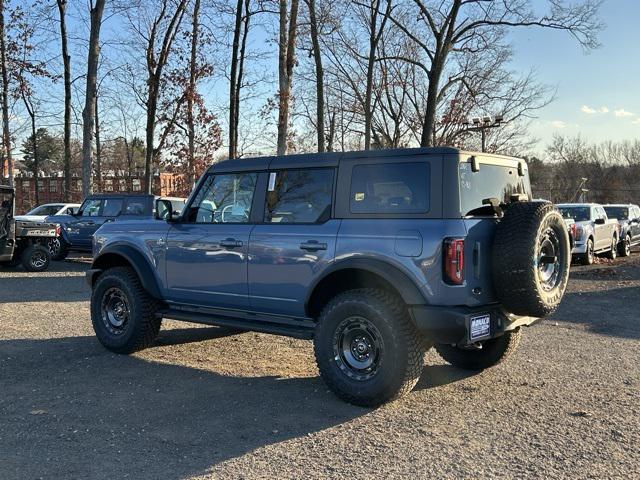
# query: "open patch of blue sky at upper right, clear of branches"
597 92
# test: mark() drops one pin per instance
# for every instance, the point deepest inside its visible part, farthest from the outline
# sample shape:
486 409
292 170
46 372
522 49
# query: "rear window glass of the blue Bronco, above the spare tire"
491 181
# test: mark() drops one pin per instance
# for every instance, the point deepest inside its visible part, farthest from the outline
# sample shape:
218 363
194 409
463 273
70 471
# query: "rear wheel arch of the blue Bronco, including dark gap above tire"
361 273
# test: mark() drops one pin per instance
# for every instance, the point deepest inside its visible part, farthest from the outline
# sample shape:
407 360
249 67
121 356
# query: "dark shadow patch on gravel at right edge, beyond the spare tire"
611 312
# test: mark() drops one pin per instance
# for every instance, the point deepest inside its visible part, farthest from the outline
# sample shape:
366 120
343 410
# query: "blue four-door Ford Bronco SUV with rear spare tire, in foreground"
377 256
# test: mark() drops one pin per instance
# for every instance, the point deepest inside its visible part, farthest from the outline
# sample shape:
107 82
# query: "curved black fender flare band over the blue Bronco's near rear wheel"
407 288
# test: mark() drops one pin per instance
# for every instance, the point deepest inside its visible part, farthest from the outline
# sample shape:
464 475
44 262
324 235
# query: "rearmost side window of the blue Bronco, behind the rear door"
390 188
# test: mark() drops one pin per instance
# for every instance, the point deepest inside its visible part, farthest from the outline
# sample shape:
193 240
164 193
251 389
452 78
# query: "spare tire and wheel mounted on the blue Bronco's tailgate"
530 259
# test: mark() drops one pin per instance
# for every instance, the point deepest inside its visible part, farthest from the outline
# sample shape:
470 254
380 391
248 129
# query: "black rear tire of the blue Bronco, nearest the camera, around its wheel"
401 354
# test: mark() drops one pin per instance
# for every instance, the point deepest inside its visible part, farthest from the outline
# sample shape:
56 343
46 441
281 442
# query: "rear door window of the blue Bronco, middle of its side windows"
299 196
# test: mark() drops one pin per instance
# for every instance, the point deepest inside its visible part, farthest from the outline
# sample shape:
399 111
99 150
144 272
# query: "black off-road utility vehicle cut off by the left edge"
23 242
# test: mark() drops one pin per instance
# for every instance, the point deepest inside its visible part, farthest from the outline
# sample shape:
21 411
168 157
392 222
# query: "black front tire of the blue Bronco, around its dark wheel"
142 325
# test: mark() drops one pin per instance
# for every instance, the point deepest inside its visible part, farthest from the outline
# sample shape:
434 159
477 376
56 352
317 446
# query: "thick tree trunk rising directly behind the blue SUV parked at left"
88 113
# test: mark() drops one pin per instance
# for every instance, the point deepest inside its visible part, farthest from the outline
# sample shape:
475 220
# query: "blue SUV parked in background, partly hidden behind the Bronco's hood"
95 211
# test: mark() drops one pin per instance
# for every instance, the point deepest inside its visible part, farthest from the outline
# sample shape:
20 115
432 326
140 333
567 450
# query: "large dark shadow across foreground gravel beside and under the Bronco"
70 409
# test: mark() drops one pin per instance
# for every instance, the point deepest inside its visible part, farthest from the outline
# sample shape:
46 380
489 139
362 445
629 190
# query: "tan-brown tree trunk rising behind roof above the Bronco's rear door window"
286 60
